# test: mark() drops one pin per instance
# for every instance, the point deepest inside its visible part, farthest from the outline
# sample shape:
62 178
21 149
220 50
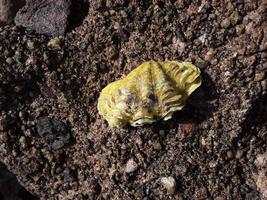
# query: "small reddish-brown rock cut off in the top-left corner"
8 10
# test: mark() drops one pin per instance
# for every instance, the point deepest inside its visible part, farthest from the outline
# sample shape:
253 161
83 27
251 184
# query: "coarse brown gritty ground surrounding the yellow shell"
209 148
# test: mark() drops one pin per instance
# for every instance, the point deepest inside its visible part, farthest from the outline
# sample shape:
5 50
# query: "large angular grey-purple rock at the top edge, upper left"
45 16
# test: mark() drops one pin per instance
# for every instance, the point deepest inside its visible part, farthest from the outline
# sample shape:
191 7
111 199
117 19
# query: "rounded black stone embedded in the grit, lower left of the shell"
55 133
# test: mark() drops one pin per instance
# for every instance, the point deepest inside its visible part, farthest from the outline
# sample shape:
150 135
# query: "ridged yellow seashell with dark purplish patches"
152 91
